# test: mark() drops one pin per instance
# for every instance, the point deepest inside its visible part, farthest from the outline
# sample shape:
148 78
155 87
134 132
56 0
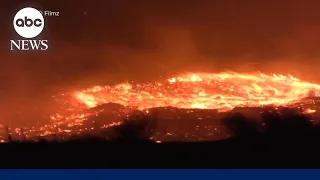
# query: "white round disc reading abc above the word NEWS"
28 22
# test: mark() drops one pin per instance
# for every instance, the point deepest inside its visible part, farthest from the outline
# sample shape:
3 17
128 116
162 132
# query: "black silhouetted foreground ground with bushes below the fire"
284 139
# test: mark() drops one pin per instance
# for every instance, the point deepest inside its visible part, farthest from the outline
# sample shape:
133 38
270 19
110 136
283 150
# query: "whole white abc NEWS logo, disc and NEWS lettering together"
28 23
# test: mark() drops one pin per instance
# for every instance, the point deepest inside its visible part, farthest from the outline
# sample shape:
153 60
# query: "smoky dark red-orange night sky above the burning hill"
116 40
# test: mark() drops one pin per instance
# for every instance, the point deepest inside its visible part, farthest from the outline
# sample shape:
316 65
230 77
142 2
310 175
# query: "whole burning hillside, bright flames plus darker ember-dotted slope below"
201 99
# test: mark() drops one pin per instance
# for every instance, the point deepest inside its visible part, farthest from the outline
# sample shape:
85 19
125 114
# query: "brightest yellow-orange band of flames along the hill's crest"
222 91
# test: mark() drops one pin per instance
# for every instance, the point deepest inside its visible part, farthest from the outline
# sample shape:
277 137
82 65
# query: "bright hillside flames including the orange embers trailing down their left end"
221 91
